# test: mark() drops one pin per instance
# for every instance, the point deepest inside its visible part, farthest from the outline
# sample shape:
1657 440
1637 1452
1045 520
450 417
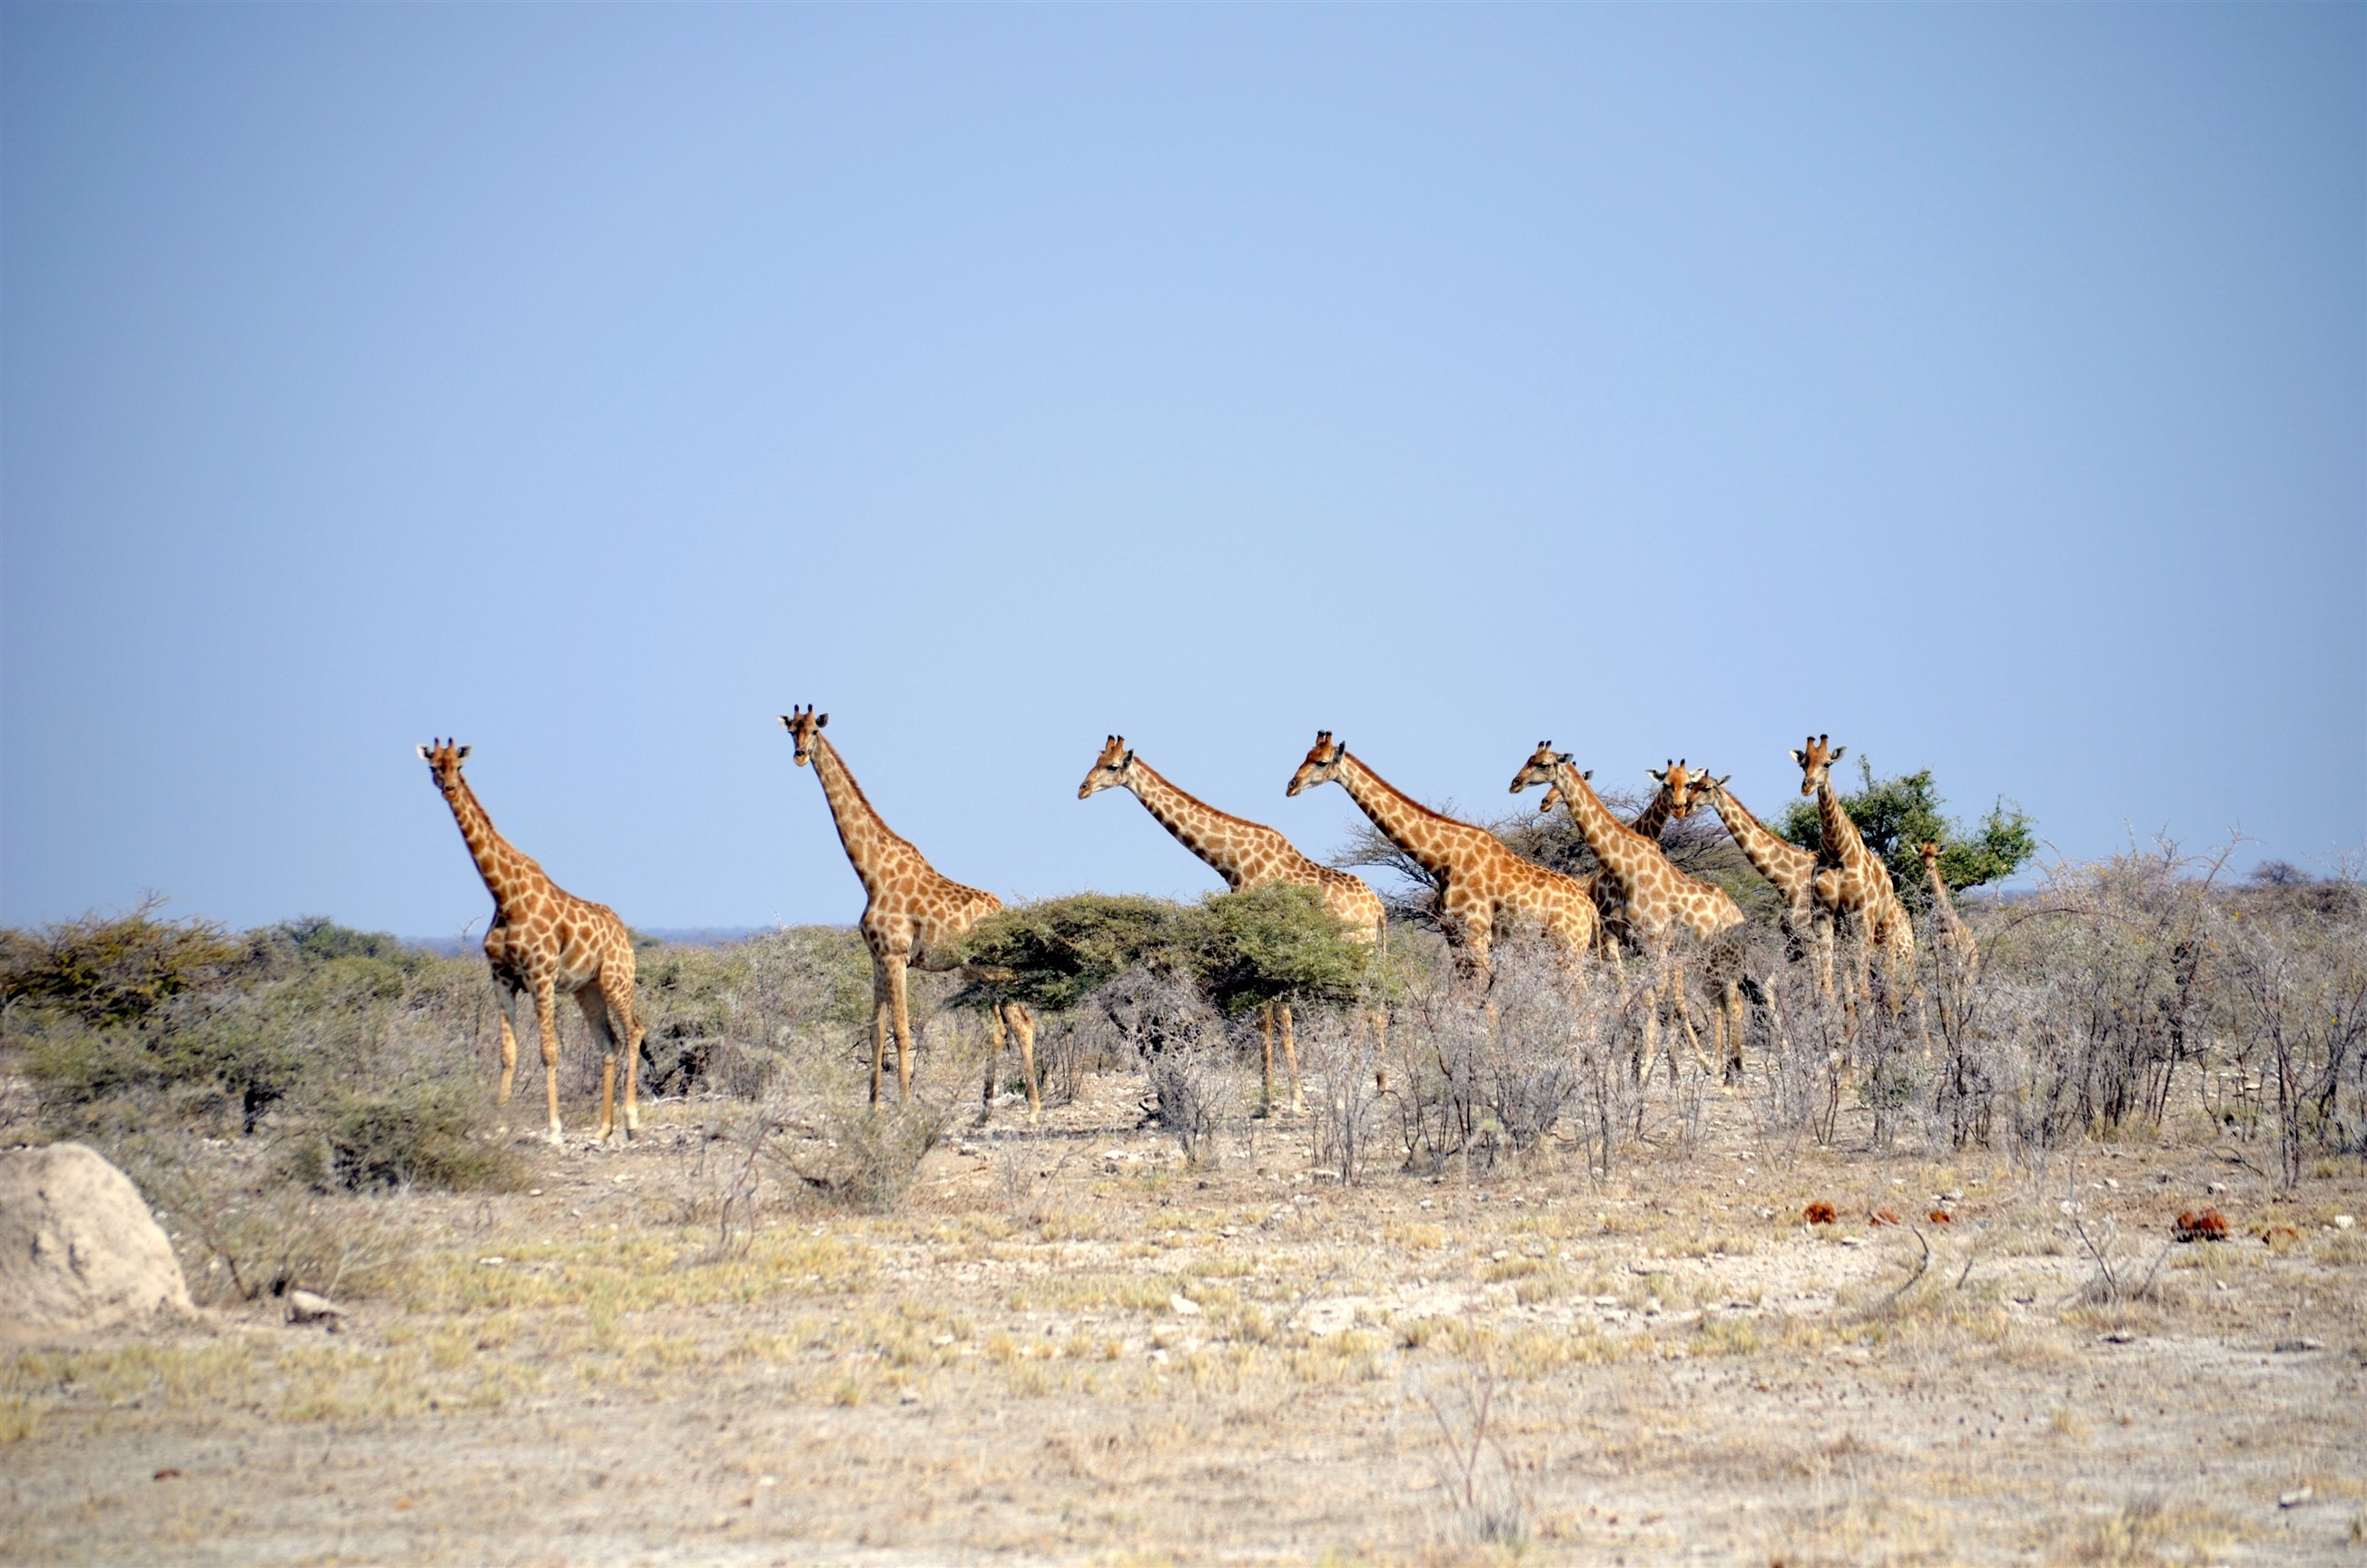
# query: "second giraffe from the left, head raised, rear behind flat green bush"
910 913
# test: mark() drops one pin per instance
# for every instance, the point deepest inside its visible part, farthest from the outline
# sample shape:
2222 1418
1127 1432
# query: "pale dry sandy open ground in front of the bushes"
1071 1349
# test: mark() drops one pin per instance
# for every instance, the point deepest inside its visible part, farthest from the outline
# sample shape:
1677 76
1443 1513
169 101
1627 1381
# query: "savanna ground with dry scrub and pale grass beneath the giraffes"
1554 1313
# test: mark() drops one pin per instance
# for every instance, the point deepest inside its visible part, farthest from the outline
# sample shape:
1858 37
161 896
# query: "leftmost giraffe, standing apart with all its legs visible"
543 942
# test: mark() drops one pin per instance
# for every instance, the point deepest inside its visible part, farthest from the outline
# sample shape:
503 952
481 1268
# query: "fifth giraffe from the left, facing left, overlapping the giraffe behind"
1646 897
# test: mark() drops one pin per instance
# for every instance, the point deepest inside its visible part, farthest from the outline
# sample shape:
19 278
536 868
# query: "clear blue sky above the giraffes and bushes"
1980 385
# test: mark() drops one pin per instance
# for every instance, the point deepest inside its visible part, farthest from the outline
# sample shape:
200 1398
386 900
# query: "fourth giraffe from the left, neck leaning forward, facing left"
1481 882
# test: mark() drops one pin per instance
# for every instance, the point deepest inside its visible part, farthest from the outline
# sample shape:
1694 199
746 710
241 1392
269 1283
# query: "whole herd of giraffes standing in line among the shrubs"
546 942
